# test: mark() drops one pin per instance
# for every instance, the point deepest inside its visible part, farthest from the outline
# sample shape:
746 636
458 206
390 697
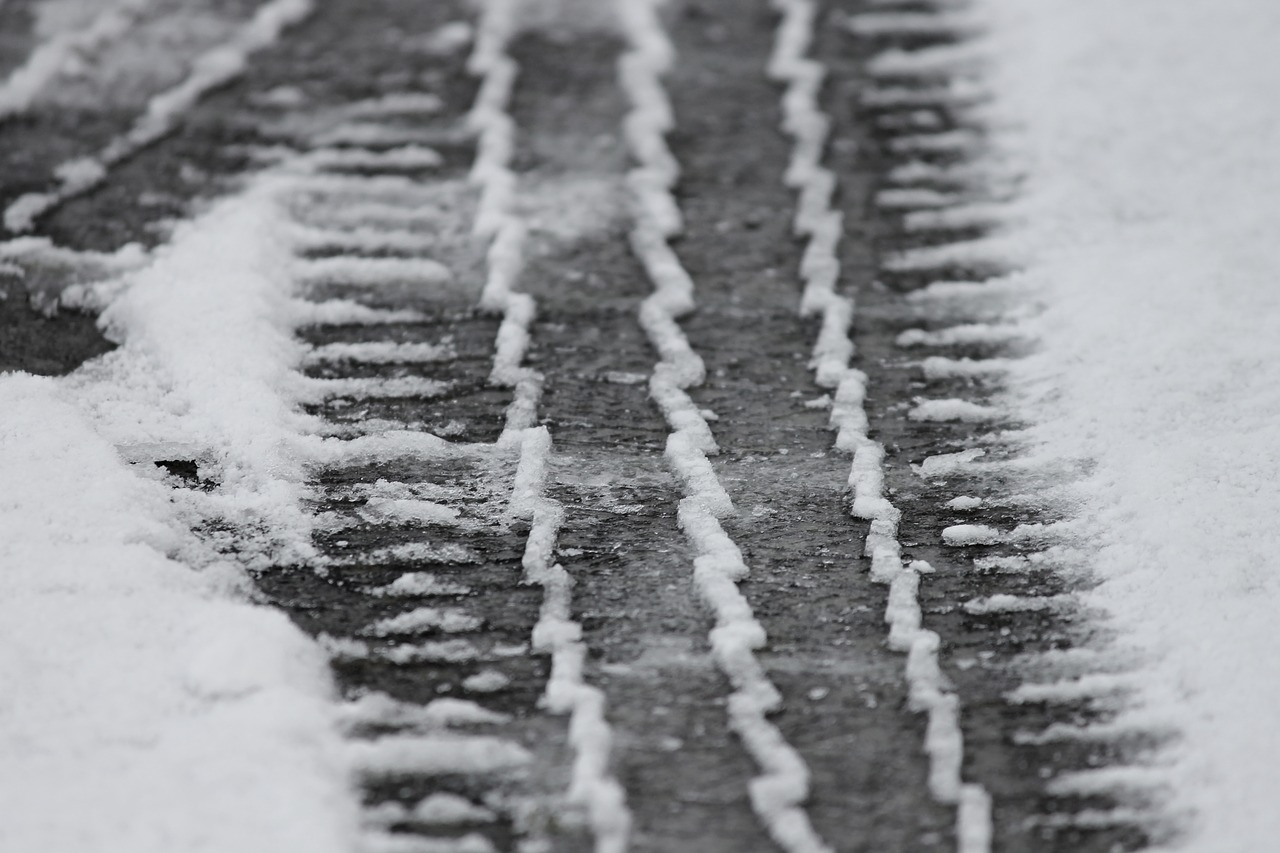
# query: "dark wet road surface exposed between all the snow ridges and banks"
401 532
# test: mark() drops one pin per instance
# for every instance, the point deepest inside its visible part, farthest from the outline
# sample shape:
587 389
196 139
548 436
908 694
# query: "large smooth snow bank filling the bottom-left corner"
145 710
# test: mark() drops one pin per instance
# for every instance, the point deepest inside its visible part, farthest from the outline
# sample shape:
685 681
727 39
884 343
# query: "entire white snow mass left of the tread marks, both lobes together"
149 705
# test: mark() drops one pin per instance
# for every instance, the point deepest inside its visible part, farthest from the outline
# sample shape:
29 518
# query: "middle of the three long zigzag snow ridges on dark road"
778 795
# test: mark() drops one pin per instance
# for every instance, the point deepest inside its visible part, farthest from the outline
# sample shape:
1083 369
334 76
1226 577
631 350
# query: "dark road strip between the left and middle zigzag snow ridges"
683 769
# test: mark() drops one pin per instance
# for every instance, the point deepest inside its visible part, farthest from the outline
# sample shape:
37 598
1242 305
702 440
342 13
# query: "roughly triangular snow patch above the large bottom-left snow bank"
207 370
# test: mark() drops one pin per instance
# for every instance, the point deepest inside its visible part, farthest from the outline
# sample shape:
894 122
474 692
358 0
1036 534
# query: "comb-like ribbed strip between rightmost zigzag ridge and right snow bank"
989 518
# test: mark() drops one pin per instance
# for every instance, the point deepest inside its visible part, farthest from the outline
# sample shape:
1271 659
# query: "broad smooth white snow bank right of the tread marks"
1151 135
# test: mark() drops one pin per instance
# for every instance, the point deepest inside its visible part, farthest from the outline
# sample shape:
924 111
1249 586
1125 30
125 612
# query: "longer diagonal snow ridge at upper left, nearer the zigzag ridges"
212 70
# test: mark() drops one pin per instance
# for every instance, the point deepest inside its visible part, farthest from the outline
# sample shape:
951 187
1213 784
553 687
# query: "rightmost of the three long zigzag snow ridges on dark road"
820 268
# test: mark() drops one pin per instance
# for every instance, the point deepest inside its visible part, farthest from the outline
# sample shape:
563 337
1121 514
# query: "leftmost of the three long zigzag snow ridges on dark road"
592 786
